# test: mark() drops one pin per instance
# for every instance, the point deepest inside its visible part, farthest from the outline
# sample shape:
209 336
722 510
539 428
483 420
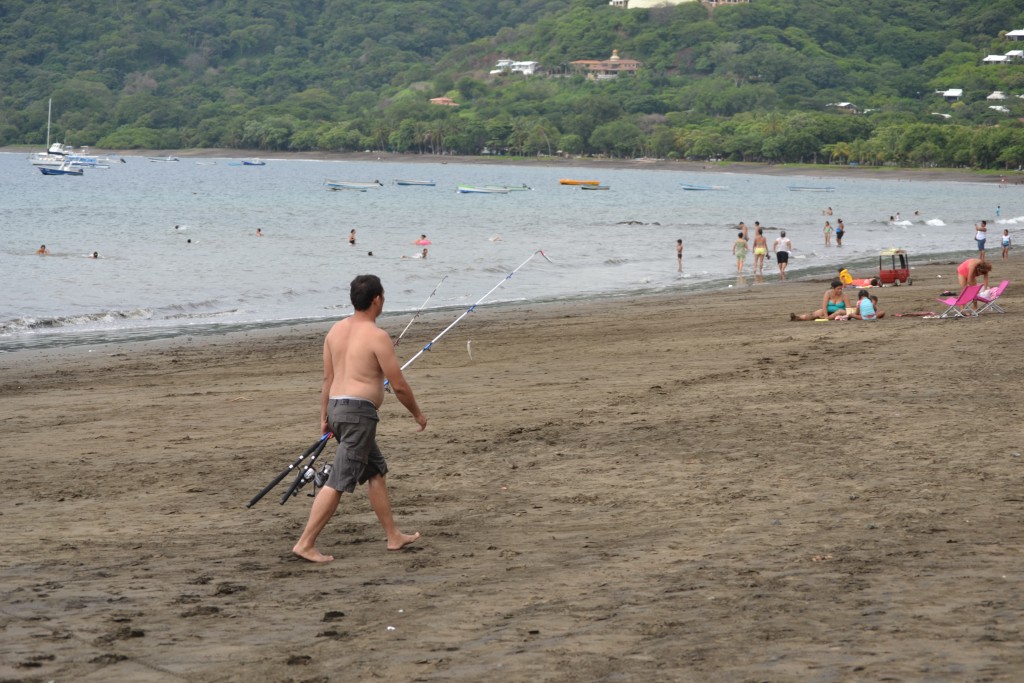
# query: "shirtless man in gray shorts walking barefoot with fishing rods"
358 358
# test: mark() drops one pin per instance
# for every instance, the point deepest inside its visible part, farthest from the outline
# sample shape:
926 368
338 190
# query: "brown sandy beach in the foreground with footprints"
672 488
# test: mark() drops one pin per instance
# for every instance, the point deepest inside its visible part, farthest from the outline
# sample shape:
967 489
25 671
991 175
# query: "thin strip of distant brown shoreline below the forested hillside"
802 170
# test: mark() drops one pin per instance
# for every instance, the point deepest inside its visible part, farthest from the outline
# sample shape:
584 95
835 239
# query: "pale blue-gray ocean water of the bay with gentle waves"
179 253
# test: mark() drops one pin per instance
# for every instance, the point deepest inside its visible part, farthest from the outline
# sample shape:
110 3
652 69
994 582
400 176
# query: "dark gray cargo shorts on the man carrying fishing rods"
354 422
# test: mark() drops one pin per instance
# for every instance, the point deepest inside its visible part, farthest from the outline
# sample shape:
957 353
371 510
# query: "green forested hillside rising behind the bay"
756 82
